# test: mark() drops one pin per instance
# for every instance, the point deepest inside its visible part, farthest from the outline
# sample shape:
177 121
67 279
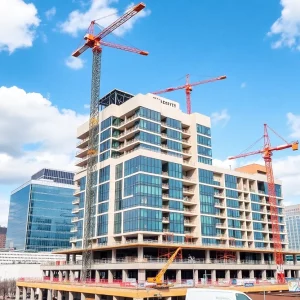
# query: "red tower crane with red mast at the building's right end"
267 153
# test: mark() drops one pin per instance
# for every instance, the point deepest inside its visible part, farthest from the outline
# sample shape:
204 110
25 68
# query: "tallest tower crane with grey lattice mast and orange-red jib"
95 42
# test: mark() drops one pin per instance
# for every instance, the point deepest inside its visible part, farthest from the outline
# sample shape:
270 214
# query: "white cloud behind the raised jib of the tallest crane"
80 20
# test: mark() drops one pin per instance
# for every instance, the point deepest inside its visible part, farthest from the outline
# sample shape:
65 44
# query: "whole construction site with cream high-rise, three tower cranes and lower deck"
152 215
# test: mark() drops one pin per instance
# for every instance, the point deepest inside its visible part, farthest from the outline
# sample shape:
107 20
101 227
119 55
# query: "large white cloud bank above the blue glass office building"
43 136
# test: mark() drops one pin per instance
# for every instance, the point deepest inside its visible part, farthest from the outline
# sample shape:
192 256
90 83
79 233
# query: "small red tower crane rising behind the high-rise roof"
188 89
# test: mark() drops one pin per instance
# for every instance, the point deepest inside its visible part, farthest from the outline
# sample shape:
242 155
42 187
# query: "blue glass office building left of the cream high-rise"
40 212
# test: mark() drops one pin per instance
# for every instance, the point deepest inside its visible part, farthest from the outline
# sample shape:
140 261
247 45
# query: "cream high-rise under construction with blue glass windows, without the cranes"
156 190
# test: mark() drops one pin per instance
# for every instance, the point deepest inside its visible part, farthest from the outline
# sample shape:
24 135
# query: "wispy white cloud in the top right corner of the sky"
287 26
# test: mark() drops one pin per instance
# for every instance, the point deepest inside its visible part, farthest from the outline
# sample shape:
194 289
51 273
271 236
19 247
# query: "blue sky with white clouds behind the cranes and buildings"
44 92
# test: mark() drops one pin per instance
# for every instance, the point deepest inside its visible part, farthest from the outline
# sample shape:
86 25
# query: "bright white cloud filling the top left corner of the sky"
18 22
